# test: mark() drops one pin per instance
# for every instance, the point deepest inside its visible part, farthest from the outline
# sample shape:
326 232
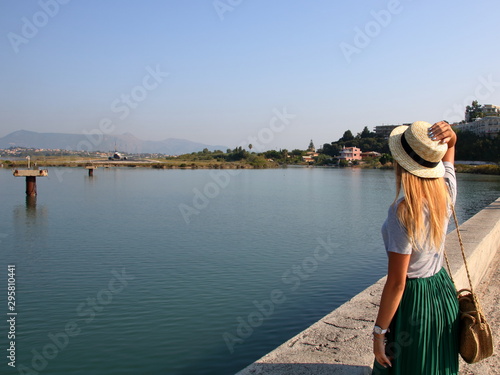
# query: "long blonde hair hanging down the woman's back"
421 193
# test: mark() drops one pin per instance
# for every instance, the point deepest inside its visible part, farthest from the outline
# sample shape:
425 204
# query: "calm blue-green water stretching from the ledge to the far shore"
112 278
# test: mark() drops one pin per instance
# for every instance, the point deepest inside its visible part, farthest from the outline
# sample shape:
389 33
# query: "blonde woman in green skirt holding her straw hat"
416 331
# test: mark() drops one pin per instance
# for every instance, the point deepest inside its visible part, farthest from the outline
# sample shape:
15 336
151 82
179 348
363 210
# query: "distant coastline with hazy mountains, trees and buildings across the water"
368 150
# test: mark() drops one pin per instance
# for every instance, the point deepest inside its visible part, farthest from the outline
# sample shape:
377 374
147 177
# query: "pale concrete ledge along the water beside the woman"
340 343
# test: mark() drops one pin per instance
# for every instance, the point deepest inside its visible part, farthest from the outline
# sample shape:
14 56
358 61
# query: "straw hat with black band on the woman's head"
412 148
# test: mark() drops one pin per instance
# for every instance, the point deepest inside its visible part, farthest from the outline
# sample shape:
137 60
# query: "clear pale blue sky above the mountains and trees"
229 68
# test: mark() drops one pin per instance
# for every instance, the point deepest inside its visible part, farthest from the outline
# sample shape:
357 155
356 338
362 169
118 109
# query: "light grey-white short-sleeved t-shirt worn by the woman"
425 260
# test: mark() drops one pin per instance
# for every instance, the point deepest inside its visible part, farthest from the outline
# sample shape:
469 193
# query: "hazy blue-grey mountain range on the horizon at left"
98 142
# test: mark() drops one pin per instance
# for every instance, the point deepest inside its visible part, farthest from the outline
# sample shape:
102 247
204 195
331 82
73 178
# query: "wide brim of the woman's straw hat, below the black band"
405 161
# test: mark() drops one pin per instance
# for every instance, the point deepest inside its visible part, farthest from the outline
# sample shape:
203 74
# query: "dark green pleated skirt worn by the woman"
423 337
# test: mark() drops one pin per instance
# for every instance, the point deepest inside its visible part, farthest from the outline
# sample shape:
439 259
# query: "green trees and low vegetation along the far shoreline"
470 147
